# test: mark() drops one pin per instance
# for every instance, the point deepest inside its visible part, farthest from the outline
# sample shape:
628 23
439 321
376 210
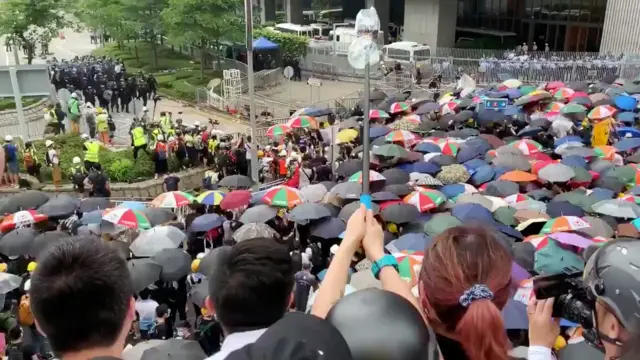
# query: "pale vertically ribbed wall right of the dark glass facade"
621 27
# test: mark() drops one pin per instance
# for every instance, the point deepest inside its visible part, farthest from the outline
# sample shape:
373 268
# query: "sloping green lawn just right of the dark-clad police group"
181 84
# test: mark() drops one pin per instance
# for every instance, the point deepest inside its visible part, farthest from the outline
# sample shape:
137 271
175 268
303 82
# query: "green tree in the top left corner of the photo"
32 22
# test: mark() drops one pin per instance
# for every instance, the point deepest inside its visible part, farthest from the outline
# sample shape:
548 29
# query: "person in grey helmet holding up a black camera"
607 290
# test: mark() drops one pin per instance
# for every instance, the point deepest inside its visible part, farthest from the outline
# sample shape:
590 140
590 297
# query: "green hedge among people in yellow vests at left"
119 165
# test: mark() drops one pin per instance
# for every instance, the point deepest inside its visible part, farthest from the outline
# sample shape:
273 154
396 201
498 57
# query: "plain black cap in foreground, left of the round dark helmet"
297 336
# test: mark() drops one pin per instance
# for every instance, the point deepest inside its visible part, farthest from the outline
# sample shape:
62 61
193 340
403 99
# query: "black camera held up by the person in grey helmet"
574 300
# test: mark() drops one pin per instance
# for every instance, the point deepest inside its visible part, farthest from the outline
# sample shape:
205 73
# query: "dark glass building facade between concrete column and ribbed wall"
565 25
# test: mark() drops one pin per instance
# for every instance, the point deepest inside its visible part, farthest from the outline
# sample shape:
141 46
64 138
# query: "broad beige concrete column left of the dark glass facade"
431 22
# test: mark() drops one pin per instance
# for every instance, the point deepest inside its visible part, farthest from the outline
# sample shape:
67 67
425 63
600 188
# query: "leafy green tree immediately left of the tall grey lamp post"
204 23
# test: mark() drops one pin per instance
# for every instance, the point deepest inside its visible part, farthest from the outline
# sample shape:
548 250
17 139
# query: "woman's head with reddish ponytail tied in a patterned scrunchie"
464 283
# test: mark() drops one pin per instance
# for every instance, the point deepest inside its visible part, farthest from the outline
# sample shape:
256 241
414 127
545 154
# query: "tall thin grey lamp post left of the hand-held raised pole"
248 15
